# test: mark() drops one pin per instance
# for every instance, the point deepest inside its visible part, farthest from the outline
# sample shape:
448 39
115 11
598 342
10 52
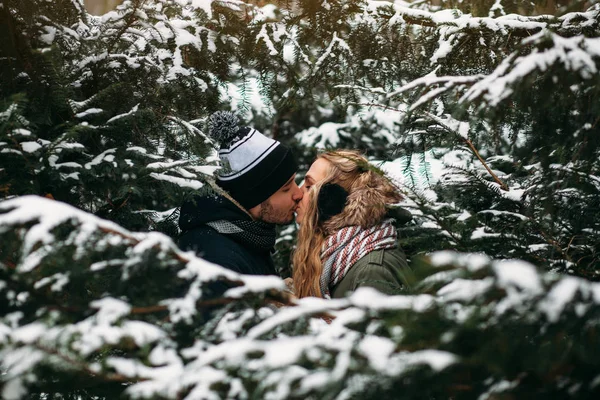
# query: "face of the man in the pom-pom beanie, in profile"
280 207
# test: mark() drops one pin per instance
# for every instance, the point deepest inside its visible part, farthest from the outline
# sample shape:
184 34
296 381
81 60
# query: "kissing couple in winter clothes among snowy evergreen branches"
347 238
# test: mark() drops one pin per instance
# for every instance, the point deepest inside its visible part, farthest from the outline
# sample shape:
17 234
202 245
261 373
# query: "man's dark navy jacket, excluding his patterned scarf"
225 250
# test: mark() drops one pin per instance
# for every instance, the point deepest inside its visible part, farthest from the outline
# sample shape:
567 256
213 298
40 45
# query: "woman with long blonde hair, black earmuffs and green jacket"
346 240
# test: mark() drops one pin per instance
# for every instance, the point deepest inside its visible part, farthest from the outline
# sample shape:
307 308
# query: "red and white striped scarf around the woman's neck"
344 248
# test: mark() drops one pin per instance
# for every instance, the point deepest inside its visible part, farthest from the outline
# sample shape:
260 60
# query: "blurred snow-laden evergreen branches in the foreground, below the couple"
175 348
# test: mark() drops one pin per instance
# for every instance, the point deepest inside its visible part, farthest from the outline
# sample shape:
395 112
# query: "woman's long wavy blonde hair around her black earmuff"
369 191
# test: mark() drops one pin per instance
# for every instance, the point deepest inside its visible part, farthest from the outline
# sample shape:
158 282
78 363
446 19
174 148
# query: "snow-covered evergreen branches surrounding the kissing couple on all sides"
486 112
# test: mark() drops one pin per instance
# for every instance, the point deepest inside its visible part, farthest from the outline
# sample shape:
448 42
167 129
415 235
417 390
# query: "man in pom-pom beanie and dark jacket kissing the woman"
235 227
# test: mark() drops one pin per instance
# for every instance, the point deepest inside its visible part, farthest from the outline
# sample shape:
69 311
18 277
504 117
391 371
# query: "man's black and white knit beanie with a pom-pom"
254 166
